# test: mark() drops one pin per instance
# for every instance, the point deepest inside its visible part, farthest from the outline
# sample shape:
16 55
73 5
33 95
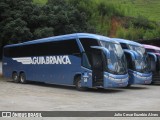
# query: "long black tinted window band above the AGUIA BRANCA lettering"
66 47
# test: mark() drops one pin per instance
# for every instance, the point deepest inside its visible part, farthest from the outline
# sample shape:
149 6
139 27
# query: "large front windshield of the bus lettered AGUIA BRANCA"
117 61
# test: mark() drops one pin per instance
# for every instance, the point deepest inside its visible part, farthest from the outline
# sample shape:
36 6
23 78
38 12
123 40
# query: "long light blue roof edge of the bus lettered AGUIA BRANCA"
65 37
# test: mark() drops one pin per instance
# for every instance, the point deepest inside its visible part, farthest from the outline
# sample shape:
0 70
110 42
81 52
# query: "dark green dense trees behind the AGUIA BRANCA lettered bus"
21 20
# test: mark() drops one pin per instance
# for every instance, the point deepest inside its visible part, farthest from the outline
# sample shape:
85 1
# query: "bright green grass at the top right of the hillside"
148 8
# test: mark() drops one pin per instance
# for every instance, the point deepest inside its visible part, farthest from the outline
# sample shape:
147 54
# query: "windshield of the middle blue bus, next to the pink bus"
141 64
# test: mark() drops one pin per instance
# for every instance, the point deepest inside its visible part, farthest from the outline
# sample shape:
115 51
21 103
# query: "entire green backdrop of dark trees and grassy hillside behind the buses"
23 20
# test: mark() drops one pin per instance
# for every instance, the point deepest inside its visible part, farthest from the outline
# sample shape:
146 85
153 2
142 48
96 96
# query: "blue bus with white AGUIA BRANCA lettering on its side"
81 59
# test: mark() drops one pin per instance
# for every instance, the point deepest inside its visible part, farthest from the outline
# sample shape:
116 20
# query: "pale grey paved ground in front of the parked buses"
45 97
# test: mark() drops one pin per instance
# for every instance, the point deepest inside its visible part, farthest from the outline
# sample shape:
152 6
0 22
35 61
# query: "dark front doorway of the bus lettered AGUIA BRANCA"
97 67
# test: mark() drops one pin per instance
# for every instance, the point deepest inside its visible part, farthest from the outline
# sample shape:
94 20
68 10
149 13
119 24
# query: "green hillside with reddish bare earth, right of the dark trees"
130 19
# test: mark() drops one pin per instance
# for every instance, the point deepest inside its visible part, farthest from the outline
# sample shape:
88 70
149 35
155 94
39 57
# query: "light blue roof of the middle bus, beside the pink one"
127 42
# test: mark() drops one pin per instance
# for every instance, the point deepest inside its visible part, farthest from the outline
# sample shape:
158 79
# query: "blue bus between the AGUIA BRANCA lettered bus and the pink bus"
138 63
